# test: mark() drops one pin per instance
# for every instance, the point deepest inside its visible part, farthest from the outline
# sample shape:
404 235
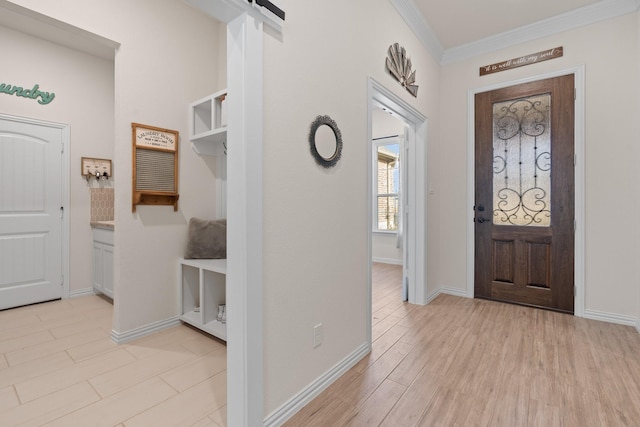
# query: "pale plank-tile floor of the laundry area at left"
59 367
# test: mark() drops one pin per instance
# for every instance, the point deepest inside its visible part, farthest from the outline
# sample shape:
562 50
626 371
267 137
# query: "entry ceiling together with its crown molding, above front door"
453 30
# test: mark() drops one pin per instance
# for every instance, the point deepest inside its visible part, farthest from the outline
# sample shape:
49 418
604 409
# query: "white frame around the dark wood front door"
579 263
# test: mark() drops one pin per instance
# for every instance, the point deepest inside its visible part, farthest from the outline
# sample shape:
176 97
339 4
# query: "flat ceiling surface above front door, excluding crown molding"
459 22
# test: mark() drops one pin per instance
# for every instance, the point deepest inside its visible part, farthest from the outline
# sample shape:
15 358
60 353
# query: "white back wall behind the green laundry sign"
83 85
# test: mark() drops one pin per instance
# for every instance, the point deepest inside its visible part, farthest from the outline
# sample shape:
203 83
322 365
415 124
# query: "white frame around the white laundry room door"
64 182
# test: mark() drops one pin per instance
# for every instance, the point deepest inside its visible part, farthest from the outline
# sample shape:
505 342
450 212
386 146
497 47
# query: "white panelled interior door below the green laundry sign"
31 201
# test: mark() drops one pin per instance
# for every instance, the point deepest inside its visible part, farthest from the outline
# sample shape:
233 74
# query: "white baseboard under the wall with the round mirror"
289 409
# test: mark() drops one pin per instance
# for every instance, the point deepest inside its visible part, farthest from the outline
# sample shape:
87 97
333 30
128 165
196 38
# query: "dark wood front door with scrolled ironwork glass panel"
524 194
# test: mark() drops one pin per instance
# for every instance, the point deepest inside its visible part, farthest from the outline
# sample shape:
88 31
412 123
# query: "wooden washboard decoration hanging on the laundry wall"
155 166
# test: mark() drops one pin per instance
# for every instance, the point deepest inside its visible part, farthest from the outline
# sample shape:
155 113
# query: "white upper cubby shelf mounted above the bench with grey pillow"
208 125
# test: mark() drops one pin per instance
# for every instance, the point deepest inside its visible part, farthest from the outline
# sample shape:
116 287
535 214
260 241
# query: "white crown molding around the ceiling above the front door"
587 15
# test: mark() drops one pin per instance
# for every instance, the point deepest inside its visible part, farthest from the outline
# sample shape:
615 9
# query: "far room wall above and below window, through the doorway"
384 245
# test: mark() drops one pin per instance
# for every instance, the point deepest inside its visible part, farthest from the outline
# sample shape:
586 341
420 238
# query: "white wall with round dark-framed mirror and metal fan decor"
315 219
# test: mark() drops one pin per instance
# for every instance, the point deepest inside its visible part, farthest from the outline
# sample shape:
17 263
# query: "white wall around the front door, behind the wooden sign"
609 51
